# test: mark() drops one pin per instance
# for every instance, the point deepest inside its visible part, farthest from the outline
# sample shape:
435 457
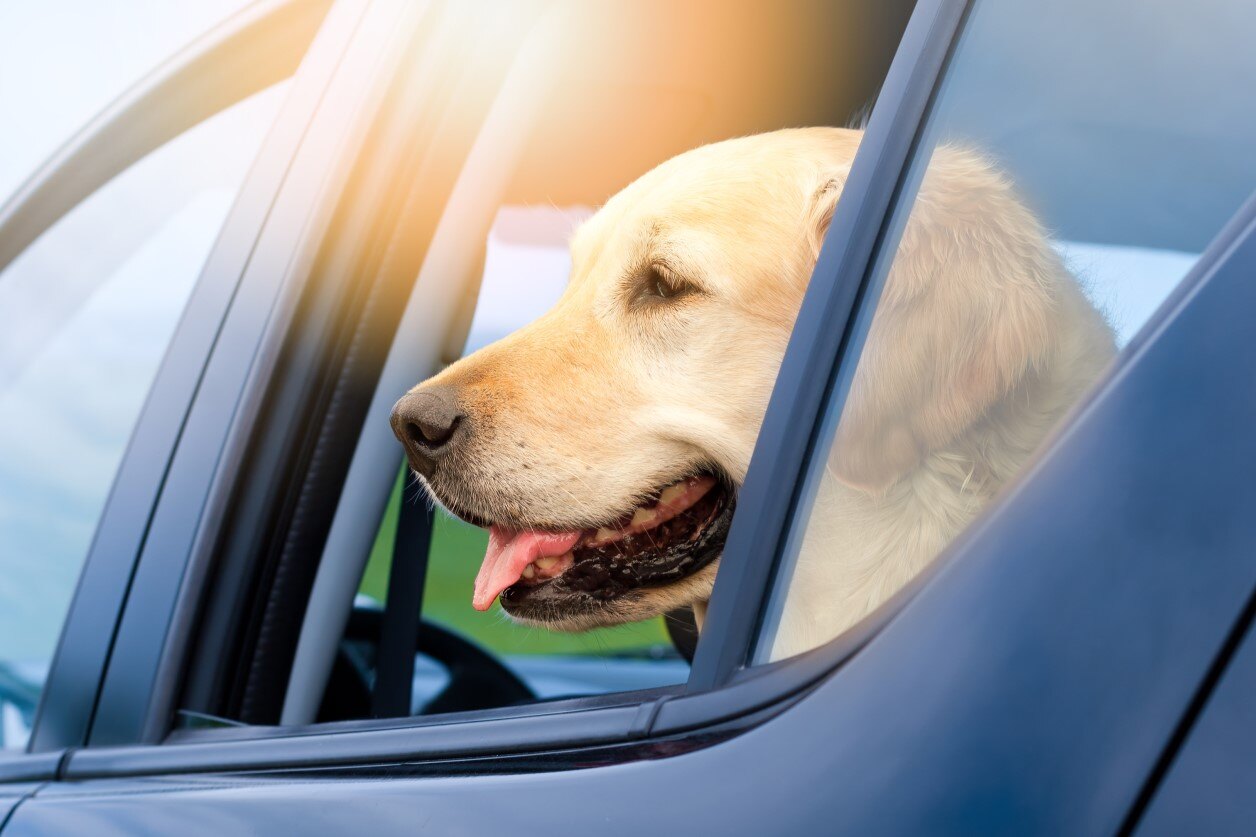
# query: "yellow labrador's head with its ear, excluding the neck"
604 444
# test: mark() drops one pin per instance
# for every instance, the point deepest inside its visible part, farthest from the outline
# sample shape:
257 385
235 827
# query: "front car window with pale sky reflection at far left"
89 312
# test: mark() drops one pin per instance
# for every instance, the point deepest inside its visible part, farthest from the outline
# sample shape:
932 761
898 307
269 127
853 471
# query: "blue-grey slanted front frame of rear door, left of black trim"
341 80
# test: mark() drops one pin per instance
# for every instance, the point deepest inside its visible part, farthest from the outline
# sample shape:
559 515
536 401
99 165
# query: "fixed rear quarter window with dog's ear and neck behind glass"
1078 160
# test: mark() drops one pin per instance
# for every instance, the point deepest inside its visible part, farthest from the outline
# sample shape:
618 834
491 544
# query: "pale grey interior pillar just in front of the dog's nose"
443 217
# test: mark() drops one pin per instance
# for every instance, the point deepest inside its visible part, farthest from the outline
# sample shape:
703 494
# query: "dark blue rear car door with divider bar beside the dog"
966 704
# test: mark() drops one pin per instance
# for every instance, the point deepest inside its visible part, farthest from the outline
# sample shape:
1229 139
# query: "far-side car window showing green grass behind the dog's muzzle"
527 268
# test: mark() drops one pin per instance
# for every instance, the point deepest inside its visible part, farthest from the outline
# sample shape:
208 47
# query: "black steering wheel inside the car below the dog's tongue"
478 681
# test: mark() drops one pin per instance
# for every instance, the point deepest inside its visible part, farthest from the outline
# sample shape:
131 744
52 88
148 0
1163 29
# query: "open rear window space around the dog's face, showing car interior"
495 258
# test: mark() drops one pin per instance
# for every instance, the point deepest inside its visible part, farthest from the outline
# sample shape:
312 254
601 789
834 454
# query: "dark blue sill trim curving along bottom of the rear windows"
512 733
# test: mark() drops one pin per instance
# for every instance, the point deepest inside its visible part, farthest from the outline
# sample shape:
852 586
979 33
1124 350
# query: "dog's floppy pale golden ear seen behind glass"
964 317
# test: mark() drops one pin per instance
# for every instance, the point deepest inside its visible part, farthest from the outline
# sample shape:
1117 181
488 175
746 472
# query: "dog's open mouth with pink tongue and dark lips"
676 532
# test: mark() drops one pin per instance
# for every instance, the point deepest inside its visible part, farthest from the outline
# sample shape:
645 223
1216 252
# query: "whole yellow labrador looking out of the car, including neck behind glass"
602 446
